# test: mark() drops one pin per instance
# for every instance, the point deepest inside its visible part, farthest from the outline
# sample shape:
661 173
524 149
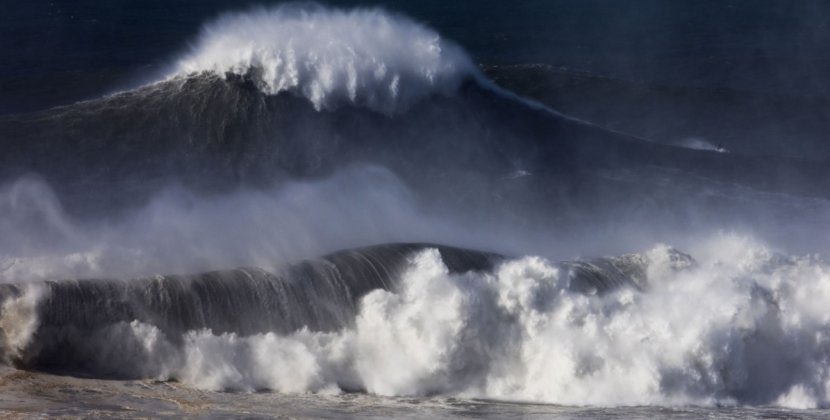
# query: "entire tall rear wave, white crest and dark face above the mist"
298 92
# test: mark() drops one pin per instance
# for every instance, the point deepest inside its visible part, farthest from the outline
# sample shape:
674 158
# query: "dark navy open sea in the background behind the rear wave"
58 52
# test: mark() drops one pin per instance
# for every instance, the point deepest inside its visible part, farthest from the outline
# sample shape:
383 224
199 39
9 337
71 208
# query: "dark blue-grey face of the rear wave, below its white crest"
213 134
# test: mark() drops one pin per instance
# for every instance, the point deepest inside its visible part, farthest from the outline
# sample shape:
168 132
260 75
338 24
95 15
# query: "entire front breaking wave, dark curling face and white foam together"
739 325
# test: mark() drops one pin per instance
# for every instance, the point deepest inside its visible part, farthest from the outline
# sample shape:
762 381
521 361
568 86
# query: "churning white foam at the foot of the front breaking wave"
742 325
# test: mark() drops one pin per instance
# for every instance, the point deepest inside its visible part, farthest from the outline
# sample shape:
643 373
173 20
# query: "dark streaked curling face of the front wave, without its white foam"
321 295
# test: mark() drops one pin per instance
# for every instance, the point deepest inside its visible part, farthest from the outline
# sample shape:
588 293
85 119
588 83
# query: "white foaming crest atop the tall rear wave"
366 57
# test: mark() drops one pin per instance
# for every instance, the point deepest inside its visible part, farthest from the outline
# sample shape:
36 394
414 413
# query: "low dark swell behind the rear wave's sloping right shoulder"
749 123
